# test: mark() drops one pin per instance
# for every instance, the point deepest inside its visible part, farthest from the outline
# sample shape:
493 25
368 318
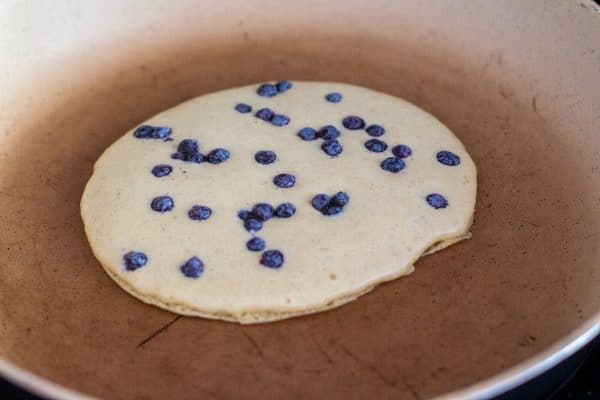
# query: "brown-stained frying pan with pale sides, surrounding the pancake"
517 81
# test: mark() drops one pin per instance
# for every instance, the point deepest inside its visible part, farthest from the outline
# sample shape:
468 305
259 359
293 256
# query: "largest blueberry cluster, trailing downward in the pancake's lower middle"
253 222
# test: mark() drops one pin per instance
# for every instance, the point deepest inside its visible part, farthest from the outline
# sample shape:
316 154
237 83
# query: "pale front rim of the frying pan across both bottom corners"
487 388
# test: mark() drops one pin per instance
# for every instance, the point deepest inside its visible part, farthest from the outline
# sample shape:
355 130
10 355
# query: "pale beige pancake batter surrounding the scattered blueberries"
384 229
